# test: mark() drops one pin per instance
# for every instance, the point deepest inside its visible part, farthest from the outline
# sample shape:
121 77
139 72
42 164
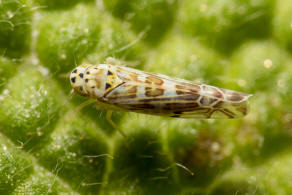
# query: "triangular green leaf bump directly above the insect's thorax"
117 41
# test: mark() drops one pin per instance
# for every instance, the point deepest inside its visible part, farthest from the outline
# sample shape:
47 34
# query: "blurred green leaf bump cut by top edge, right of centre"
225 24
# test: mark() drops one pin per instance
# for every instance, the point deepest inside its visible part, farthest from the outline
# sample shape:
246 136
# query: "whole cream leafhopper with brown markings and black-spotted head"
127 89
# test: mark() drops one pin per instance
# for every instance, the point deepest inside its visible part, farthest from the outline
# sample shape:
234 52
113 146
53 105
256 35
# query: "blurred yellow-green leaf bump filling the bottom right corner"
275 181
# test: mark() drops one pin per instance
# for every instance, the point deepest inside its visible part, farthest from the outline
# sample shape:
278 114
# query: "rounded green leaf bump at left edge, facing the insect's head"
32 118
